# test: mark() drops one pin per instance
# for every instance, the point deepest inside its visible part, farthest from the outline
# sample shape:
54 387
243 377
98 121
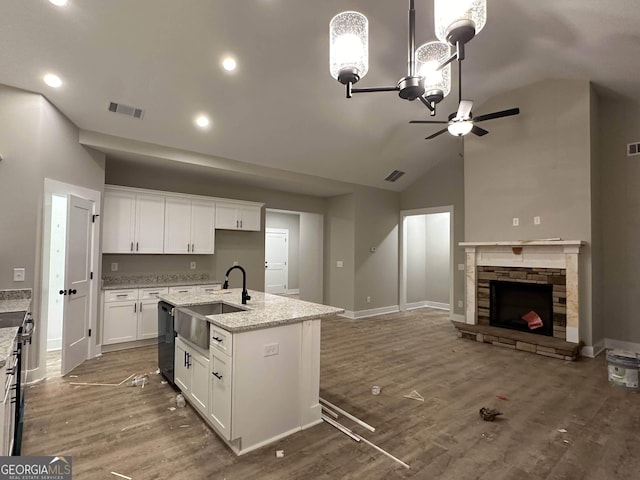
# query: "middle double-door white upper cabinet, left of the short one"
189 225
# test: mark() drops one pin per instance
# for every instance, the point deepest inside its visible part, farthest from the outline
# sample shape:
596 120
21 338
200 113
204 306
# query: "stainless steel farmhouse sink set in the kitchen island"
191 322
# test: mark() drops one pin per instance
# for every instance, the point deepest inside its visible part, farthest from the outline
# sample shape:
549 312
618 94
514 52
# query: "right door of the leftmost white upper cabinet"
149 224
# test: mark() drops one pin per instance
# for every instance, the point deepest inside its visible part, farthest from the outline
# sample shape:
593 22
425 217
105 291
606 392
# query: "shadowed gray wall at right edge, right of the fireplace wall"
620 175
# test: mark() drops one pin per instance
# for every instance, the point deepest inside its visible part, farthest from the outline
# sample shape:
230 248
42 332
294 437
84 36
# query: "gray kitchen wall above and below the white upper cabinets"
245 247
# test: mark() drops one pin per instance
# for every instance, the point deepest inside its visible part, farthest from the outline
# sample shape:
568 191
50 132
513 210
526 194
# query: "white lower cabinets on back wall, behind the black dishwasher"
130 314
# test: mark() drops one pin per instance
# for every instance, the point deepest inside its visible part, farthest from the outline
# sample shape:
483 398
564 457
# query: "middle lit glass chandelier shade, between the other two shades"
437 83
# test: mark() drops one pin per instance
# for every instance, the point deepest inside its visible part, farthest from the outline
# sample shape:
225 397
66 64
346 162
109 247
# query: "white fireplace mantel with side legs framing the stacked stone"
531 254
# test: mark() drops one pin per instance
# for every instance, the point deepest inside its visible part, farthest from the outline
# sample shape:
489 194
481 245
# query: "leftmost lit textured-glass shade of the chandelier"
348 47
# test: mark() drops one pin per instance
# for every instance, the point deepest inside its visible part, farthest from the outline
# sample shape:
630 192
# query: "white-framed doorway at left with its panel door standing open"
65 328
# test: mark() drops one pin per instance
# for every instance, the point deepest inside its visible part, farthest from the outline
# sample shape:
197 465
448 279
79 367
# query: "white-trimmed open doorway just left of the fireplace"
426 266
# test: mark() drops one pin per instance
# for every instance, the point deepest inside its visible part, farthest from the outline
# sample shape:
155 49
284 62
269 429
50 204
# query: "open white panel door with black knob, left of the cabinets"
77 282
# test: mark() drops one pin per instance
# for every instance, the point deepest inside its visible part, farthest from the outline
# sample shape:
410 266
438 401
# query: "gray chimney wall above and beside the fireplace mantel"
536 164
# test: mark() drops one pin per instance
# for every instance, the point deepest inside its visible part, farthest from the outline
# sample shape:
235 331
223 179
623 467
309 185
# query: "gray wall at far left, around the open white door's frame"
36 142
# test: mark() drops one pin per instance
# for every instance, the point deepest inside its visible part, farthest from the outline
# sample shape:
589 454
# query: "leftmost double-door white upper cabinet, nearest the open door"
133 222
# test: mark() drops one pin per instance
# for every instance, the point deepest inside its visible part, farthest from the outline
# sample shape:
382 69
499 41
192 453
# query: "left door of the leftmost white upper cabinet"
118 226
